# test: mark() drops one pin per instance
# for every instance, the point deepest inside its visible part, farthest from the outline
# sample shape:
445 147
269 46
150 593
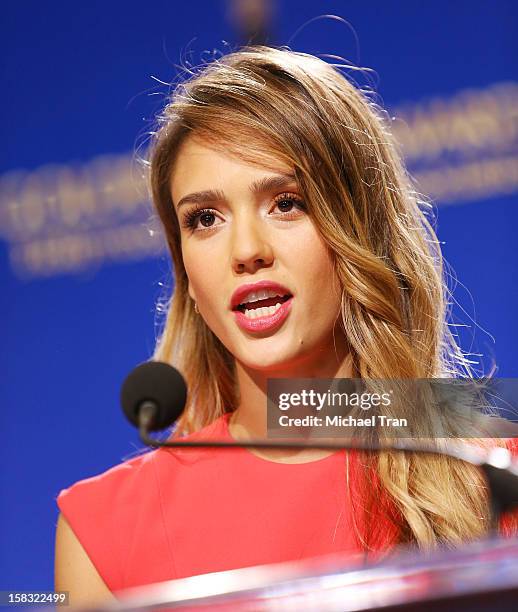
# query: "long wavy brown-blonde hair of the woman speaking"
308 114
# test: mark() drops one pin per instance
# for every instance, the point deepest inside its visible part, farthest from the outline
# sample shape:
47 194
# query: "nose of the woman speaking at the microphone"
251 246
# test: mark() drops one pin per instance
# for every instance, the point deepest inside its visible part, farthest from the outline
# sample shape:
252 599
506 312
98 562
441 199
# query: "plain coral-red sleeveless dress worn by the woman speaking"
173 513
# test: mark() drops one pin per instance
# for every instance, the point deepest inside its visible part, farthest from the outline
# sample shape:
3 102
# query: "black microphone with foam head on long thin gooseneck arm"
153 397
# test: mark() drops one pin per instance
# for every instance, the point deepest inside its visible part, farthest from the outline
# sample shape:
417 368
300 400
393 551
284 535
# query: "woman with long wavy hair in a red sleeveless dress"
277 182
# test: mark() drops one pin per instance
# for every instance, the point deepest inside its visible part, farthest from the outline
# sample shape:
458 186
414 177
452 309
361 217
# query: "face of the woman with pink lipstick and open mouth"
249 224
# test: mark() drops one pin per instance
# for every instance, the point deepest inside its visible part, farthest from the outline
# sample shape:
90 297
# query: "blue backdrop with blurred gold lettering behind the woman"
79 273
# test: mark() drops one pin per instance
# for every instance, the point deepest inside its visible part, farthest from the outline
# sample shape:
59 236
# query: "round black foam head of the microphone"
159 383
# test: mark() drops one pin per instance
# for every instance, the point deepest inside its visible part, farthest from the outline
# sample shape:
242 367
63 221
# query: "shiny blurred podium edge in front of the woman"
481 576
